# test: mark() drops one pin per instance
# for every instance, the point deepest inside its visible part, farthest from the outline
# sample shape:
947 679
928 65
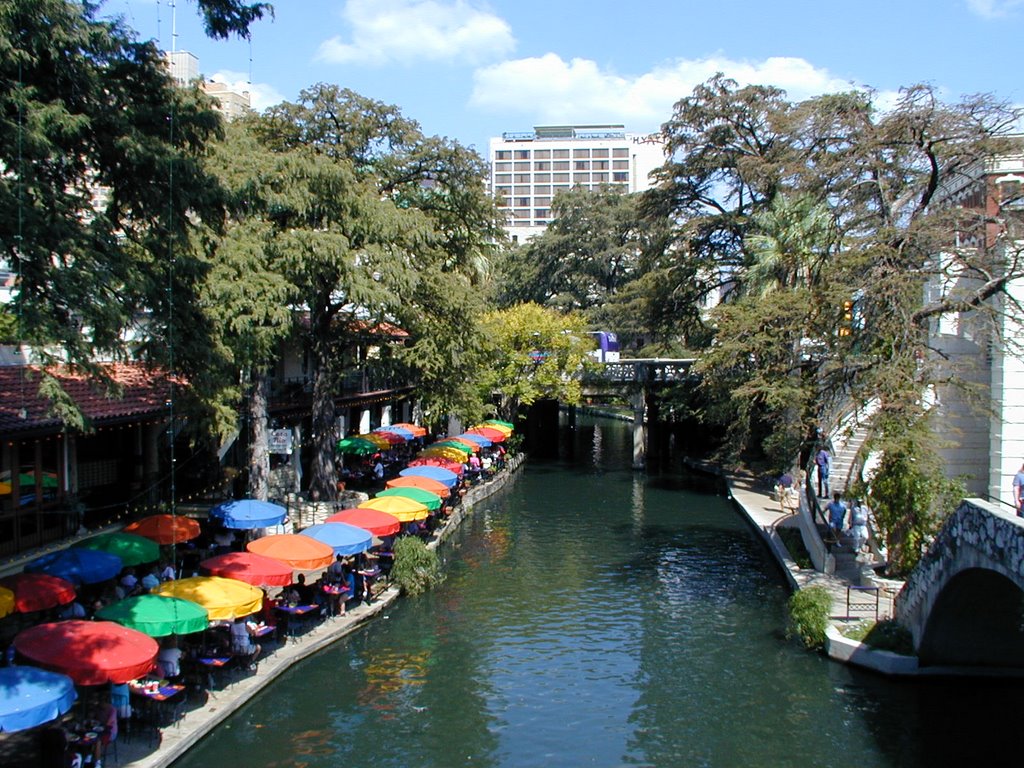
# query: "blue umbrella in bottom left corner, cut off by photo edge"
31 697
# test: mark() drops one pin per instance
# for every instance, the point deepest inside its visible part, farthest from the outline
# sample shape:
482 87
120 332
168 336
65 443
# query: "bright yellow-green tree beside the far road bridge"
536 354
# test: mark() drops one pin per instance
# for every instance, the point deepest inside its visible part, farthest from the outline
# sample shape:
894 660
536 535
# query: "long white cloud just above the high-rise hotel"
552 91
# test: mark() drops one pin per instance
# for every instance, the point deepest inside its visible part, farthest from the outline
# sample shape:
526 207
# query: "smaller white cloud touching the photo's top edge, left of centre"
409 31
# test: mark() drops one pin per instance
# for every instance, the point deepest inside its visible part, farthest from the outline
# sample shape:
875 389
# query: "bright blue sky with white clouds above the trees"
473 69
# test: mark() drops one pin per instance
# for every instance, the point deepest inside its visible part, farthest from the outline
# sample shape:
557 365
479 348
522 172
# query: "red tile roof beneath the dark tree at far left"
145 394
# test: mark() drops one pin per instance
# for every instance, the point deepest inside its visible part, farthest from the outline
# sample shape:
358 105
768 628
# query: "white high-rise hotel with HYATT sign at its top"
529 169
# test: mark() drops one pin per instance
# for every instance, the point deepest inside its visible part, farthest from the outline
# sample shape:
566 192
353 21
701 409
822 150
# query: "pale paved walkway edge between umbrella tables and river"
158 748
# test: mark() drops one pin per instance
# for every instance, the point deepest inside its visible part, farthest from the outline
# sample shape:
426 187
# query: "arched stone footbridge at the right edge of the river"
965 602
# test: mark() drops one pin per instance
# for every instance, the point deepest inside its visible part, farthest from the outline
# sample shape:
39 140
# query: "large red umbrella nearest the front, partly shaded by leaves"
90 653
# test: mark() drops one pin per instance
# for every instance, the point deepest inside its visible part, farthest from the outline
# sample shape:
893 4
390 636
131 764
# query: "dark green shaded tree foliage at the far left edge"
103 188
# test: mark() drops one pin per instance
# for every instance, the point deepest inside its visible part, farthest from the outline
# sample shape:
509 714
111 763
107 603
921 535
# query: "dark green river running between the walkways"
596 617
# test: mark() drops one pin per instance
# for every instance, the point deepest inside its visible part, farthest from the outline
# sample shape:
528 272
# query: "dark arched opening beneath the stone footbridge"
978 621
